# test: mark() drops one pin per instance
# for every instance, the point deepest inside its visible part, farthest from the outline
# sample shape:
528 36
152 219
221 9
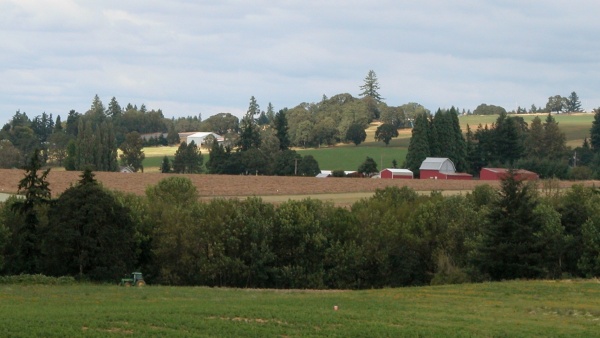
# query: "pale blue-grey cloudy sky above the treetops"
206 57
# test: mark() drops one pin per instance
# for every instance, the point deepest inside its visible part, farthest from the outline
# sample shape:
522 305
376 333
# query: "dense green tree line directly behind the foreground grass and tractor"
395 238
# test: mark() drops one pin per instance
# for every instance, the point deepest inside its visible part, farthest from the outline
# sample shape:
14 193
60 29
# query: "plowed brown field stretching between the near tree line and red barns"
227 186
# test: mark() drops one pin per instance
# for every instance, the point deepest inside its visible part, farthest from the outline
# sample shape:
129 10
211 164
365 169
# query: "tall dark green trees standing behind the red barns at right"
510 142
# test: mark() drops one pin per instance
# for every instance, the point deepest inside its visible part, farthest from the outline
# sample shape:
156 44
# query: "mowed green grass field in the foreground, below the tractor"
508 309
